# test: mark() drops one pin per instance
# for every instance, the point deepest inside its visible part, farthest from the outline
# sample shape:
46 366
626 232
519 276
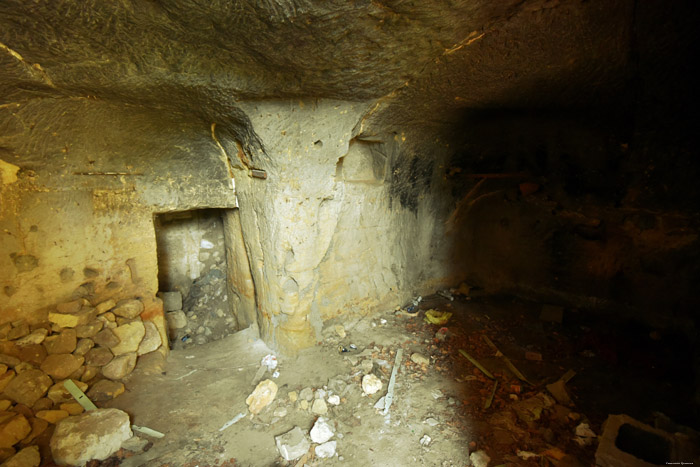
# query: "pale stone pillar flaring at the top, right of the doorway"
288 218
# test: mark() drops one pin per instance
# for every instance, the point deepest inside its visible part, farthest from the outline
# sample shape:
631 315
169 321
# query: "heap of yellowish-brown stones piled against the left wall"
94 346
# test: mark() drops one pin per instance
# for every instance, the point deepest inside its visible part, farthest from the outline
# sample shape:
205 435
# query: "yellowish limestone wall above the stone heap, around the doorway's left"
78 220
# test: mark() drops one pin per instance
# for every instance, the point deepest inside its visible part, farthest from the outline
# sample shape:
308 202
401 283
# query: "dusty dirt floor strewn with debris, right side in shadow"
438 416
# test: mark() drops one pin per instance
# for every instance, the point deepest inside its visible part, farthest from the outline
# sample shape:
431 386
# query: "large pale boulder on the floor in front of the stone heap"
96 434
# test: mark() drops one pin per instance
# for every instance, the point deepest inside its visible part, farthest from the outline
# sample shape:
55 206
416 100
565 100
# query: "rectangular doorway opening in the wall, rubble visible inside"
193 276
